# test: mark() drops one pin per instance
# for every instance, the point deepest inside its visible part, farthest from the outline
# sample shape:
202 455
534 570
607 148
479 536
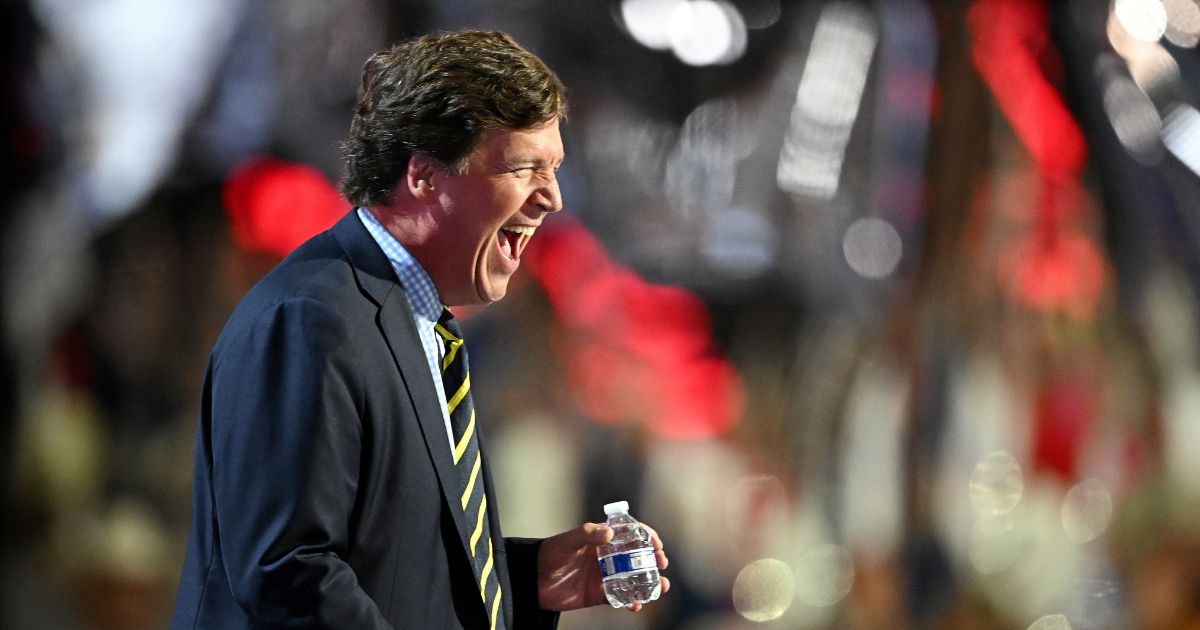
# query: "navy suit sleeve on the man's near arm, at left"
286 451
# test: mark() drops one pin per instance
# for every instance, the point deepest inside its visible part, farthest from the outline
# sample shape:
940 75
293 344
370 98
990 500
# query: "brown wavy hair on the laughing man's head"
436 95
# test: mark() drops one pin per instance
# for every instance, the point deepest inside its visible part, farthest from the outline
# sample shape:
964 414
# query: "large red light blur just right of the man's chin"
635 351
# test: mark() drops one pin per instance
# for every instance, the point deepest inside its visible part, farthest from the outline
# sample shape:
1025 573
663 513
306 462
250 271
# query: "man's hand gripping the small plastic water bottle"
569 573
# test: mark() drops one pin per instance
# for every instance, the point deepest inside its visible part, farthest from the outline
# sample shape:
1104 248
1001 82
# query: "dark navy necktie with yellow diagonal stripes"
469 463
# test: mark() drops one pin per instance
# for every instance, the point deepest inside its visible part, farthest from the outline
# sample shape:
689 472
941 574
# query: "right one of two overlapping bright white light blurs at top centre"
705 33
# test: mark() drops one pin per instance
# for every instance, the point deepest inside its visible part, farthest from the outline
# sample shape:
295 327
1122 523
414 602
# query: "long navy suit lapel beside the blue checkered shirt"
377 279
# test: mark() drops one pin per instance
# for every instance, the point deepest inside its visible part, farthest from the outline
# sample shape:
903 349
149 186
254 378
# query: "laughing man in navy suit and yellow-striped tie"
333 457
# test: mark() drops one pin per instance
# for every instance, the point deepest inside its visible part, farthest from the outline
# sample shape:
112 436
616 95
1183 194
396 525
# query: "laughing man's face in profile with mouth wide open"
491 211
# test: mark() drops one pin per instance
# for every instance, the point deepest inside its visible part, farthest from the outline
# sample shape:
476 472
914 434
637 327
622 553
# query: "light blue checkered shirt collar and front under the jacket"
424 299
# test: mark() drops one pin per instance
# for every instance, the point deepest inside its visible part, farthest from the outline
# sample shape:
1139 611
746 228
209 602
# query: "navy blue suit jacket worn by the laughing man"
325 489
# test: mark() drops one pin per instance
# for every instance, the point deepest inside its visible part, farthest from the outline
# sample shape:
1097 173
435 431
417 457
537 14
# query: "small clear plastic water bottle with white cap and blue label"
628 565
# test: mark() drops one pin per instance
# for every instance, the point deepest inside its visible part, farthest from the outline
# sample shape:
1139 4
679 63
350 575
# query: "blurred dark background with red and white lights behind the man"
883 313
